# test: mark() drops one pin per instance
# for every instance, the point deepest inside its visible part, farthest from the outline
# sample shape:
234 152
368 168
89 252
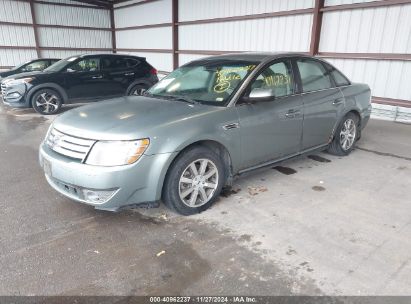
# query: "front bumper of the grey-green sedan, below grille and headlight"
126 185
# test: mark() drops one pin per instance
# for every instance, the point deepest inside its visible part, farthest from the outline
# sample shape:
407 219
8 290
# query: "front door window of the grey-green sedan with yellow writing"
277 77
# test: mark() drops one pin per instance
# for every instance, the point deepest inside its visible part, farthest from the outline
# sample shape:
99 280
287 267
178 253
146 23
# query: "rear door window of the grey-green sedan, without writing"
314 76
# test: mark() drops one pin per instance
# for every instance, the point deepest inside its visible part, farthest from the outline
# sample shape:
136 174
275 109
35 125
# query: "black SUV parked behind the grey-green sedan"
79 79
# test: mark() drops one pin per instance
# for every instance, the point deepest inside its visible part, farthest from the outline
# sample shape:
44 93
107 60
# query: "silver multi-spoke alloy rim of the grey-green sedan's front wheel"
198 182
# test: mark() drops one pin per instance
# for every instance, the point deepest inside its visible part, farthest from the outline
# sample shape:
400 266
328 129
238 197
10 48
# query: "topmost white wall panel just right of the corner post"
150 13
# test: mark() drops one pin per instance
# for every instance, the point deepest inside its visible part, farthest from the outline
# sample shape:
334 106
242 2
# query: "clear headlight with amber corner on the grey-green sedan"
117 153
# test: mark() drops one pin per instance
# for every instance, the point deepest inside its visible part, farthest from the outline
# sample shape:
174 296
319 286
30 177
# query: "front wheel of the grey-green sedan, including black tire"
194 181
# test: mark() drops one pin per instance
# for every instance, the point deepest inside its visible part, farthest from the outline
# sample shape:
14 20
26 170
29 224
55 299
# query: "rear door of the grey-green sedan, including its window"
322 101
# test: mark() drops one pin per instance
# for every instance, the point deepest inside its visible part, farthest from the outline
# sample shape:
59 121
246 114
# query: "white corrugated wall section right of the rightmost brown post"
372 30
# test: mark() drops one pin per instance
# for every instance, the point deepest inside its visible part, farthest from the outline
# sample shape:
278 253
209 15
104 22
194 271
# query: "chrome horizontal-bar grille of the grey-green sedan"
68 145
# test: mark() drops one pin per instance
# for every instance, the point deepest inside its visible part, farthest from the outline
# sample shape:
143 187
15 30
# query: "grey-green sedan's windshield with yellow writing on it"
207 82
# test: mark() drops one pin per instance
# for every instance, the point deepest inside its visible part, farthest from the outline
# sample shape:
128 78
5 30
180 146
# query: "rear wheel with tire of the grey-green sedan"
345 136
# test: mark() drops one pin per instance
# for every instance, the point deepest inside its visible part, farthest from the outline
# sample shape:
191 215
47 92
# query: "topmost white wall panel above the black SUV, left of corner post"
76 16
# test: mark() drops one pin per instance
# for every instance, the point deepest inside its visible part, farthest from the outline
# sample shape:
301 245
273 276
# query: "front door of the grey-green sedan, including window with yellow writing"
271 129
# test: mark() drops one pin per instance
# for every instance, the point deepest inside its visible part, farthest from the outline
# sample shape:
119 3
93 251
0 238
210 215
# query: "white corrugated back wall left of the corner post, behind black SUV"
53 41
